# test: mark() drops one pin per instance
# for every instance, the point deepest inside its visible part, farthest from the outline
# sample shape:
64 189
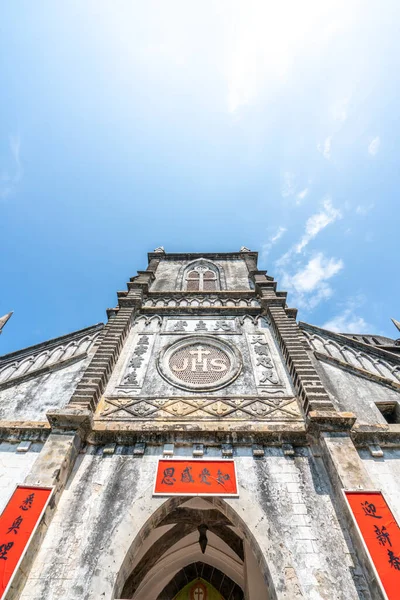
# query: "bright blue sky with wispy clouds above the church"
199 126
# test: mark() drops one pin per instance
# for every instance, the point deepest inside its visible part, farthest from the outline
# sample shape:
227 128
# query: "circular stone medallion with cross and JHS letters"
199 363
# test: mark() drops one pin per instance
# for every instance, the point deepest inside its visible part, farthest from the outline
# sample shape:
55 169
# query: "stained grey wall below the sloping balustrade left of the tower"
29 400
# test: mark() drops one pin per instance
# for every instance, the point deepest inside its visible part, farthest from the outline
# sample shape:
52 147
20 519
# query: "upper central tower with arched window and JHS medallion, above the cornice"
207 343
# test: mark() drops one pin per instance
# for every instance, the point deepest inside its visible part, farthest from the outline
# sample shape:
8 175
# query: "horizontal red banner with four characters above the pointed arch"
196 477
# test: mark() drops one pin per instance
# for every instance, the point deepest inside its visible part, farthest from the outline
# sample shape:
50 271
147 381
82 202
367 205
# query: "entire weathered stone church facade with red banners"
202 445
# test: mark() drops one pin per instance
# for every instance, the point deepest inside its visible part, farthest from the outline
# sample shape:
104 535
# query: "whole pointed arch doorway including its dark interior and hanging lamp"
166 559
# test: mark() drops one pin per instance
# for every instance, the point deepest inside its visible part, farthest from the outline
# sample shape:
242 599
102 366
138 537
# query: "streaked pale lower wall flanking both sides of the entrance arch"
285 502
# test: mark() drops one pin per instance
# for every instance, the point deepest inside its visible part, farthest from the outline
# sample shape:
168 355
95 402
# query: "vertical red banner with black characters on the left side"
17 522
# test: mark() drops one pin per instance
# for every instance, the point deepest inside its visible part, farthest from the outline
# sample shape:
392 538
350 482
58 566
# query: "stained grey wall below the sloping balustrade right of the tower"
355 394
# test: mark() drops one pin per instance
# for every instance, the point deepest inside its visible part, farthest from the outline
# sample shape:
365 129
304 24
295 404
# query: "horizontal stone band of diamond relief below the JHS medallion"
211 408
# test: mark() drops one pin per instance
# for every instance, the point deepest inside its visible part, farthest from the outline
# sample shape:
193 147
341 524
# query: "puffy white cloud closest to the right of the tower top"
308 285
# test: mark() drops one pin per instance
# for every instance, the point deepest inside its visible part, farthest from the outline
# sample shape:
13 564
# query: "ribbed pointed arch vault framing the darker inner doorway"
168 543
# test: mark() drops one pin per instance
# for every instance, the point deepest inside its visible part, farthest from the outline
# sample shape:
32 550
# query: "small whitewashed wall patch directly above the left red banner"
14 467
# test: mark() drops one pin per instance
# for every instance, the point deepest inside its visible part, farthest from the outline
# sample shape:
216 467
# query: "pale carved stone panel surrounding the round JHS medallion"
262 370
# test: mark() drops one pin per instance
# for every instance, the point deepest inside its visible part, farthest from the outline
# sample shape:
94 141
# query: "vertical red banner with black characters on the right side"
381 535
